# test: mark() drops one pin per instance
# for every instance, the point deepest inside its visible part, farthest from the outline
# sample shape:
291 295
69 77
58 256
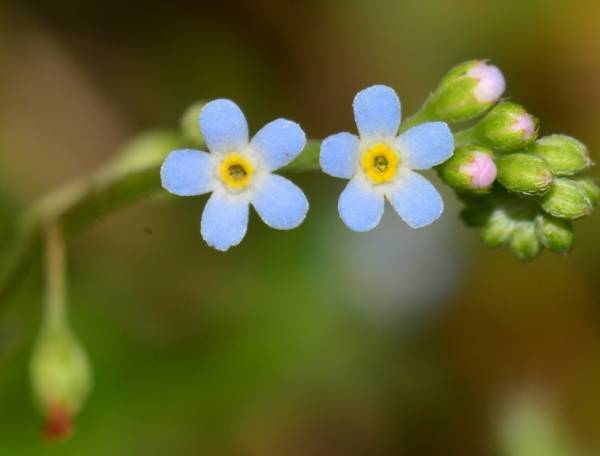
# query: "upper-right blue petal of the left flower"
279 142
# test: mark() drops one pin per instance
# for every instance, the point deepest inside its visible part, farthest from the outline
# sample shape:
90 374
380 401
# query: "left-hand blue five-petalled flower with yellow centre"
238 172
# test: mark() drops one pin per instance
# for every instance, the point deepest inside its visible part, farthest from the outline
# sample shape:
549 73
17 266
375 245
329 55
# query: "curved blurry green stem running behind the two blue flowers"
135 174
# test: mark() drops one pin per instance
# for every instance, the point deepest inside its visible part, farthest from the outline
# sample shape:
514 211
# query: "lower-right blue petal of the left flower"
280 203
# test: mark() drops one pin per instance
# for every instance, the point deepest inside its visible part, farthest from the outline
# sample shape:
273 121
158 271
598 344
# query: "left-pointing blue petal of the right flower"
338 155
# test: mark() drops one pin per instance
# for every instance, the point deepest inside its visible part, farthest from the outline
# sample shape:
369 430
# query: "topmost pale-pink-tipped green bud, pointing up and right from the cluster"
467 91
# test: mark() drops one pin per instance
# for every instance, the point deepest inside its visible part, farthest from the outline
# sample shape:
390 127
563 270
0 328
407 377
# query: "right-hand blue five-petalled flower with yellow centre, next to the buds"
381 165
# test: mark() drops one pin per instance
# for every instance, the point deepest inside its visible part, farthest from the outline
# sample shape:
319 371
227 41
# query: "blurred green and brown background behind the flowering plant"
316 341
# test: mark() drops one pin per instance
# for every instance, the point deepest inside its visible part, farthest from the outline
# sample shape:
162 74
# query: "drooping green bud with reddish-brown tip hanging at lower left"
61 379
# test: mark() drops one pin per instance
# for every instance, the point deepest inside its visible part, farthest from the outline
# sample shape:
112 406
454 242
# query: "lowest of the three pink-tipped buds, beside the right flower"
471 168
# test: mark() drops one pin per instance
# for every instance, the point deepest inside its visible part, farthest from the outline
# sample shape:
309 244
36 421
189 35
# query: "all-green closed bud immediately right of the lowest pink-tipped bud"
524 173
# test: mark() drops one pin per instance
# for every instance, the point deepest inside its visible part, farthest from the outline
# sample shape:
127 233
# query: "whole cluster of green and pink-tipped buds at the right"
520 190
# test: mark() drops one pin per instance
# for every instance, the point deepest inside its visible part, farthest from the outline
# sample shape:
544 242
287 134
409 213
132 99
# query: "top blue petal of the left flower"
224 126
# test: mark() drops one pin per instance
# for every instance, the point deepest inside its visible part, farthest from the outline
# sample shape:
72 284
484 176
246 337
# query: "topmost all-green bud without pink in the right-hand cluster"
565 155
